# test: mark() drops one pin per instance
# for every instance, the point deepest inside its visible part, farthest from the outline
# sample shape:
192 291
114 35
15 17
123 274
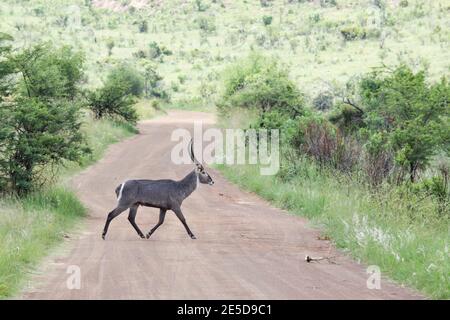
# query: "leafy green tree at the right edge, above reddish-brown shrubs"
411 116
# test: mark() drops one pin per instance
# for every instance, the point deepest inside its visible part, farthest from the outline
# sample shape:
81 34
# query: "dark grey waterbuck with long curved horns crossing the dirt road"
163 194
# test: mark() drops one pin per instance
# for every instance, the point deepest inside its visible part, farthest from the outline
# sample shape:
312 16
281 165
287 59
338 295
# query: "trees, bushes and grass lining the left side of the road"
48 132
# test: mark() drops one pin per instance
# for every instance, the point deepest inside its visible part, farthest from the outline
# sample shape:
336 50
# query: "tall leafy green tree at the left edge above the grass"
40 122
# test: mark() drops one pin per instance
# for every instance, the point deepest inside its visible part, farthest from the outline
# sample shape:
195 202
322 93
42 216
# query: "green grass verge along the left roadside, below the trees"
30 227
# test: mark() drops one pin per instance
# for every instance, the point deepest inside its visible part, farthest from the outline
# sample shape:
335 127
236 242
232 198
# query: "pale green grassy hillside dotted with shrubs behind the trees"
204 36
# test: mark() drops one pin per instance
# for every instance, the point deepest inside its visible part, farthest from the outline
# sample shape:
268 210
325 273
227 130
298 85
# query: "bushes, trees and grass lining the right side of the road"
386 139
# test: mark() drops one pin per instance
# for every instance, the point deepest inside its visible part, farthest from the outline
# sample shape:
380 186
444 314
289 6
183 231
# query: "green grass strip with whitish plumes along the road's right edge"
406 241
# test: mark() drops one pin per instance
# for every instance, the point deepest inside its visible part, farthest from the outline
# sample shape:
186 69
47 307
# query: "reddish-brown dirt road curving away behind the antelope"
245 249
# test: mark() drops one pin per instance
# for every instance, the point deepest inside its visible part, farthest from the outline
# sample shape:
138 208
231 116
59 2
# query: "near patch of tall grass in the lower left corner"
29 227
